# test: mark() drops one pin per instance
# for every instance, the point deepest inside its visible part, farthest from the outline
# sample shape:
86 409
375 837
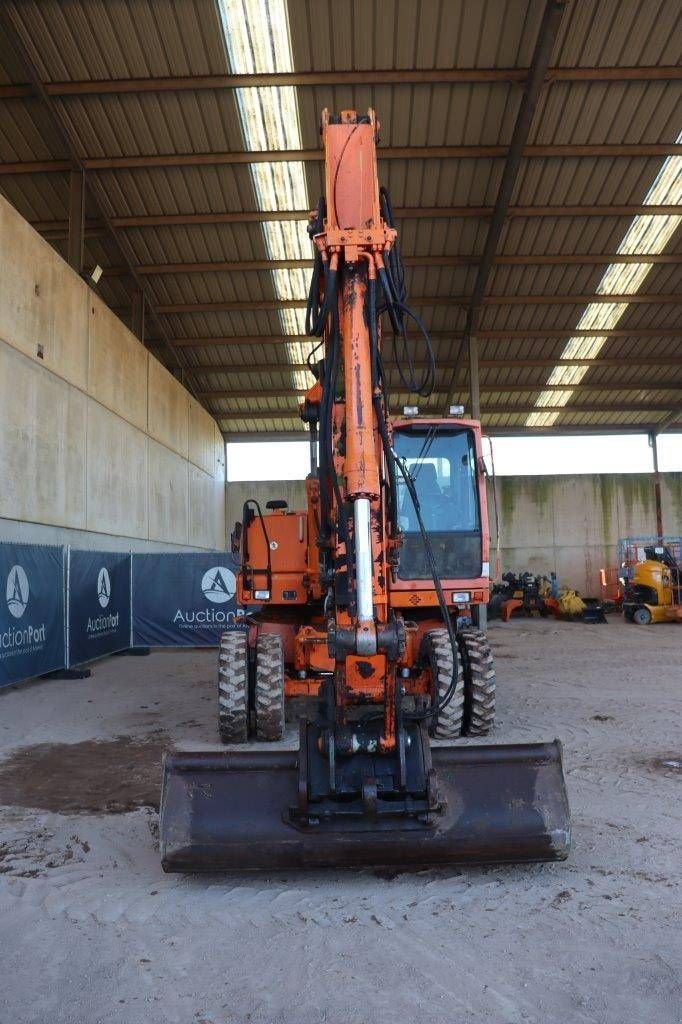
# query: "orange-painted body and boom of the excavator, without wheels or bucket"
293 567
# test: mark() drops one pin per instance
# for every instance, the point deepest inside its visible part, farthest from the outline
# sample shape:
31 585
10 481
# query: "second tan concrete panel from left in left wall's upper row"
118 366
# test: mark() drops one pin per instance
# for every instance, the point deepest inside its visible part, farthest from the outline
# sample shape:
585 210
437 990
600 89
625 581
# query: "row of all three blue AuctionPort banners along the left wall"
115 602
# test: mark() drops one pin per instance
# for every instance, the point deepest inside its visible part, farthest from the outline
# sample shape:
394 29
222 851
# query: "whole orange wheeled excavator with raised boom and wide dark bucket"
367 602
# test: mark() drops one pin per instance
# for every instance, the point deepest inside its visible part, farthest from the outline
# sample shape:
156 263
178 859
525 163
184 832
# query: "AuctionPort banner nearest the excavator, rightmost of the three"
184 601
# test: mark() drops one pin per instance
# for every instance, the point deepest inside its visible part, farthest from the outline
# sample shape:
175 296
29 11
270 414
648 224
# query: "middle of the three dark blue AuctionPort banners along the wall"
99 605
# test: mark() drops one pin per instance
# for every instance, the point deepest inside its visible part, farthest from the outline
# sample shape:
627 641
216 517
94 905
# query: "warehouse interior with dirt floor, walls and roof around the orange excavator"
159 163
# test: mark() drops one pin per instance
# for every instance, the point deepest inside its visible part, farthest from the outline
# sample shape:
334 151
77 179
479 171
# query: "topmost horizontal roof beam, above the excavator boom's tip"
438 76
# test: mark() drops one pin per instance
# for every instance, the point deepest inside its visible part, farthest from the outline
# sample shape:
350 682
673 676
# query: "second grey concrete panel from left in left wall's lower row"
117 475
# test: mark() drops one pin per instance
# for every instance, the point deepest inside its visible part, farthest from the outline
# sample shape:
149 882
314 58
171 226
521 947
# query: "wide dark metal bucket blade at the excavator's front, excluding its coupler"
228 812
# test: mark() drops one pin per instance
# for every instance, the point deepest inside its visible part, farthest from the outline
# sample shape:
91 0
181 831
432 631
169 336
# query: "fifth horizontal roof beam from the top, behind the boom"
428 301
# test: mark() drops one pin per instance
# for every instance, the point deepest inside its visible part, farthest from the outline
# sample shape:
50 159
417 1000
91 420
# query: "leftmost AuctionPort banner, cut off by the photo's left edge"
32 639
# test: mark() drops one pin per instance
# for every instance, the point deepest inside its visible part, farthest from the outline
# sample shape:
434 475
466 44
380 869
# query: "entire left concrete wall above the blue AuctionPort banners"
75 380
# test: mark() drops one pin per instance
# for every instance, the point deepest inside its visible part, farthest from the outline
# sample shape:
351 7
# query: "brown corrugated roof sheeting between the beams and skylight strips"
140 38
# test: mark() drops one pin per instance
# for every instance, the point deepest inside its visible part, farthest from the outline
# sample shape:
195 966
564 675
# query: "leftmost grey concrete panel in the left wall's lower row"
42 444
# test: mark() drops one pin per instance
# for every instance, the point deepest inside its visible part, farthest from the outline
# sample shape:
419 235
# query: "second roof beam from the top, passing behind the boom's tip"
659 150
